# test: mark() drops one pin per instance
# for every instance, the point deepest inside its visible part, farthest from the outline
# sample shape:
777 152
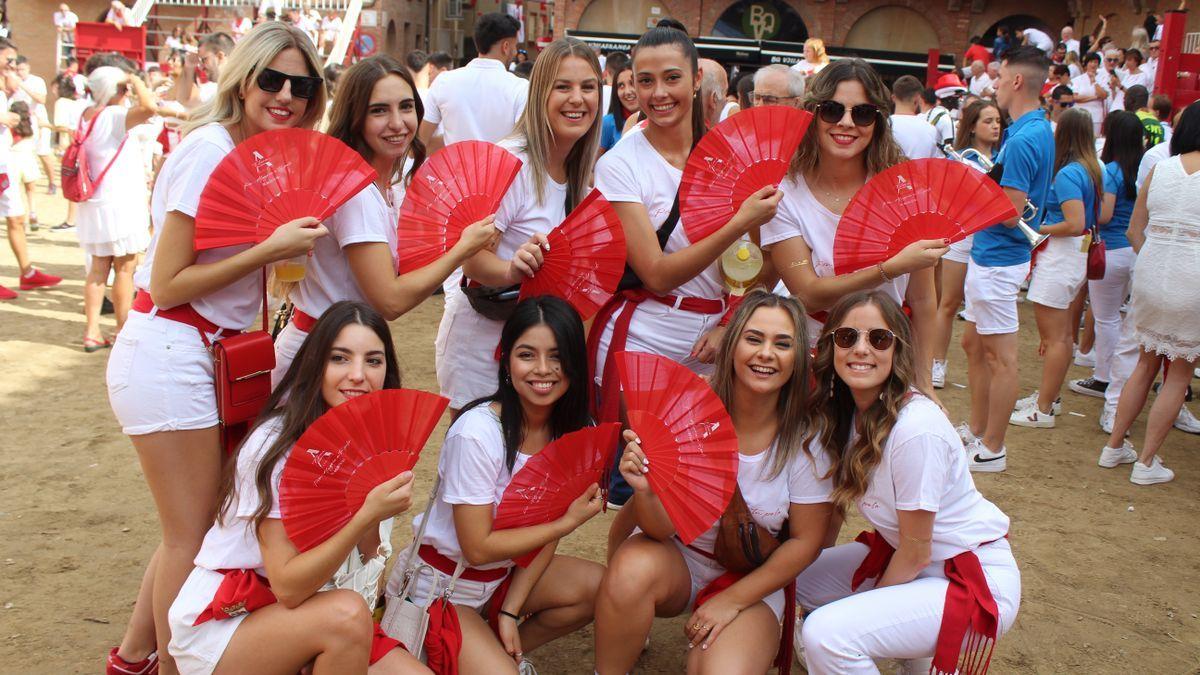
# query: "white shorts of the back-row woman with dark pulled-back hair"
664 331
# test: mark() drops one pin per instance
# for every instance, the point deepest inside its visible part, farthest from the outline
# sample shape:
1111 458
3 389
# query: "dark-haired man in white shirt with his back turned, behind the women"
483 100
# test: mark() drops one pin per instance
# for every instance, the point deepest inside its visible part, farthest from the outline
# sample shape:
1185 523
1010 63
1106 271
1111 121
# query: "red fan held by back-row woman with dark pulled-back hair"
736 159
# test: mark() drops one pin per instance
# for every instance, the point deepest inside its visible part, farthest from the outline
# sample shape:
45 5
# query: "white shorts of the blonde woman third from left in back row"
466 353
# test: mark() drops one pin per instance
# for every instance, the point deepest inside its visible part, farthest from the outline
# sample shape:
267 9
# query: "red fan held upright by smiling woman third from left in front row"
687 437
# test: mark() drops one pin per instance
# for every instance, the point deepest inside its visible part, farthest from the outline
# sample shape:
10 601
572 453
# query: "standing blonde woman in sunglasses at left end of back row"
160 374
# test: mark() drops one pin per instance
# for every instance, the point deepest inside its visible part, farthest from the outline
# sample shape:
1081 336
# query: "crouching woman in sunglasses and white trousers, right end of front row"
939 549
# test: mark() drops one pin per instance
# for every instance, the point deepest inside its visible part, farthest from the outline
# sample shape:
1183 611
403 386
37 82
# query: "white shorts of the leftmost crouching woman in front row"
197 649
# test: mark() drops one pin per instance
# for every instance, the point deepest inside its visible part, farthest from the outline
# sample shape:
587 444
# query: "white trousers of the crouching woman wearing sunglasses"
850 630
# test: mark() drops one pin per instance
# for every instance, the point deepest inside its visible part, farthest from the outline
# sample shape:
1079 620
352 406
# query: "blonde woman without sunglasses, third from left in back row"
556 140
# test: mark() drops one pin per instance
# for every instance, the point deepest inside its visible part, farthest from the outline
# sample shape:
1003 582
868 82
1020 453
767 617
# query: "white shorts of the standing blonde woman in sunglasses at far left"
160 378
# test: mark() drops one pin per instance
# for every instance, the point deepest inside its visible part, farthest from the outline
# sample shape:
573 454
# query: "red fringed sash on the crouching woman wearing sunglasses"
970 613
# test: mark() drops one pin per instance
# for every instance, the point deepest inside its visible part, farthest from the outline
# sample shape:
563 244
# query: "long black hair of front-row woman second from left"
572 411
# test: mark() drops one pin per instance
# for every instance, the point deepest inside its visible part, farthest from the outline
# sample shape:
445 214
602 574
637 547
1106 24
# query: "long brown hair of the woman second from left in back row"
350 112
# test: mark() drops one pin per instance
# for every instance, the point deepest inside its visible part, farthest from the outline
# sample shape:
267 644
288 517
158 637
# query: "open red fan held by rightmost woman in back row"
917 200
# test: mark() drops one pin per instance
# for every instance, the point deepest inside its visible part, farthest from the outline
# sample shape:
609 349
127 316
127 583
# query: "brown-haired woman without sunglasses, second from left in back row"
377 114
